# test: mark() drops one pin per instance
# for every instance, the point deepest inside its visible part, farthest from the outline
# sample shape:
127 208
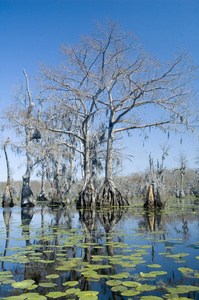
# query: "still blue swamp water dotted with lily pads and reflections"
63 253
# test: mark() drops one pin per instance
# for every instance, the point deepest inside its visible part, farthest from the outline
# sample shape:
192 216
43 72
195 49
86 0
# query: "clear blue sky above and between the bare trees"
31 31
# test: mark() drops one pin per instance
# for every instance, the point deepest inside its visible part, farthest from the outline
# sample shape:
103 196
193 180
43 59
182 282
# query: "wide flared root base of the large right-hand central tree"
109 195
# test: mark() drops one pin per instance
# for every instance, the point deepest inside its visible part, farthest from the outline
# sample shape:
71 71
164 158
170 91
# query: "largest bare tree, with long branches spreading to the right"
139 92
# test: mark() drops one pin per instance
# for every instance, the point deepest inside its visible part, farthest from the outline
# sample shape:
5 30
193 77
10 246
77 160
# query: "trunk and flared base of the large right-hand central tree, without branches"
109 195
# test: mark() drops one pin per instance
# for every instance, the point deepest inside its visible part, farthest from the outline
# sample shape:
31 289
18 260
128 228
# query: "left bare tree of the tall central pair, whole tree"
75 89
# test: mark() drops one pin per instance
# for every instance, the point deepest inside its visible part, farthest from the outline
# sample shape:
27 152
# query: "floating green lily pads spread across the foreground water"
53 247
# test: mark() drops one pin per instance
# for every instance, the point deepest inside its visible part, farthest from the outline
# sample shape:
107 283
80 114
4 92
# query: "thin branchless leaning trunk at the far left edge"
7 195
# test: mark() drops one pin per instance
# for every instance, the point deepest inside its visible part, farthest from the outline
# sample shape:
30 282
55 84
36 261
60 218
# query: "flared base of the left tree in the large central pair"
86 196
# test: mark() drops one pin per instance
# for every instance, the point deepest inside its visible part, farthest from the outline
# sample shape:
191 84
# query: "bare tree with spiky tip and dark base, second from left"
22 119
